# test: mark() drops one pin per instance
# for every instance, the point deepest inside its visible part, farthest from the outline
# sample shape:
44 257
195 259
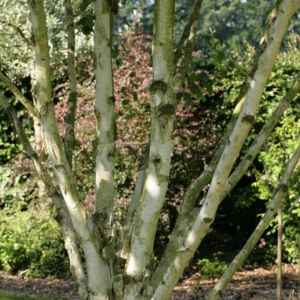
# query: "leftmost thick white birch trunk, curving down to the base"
98 279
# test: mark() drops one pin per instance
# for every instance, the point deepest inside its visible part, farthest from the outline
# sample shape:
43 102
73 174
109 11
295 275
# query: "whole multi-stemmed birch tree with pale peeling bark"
119 259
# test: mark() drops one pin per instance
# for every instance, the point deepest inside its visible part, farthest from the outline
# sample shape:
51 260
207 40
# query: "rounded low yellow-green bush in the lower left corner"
31 244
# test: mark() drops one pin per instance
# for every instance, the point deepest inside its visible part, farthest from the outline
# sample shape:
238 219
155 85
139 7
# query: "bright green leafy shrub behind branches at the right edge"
279 149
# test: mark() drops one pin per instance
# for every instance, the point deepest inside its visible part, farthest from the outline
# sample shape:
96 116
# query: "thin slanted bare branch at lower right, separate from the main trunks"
279 194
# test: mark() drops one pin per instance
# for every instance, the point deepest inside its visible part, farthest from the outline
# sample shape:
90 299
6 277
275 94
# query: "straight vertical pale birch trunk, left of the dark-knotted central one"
104 181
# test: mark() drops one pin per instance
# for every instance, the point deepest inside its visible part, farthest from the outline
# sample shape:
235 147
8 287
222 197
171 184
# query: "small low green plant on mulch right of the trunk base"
210 268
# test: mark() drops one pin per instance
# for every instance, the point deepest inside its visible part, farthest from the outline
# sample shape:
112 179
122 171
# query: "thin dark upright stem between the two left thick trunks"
70 115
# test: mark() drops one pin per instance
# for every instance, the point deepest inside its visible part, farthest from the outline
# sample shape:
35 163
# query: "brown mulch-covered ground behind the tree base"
247 284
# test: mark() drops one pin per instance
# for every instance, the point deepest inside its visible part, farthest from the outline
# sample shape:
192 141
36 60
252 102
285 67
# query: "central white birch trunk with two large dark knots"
163 108
